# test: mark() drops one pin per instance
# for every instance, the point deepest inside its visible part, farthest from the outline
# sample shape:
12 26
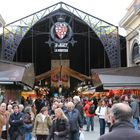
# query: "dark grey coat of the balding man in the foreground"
122 131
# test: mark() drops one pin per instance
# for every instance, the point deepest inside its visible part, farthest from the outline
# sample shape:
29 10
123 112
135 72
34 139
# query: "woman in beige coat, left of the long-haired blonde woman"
41 125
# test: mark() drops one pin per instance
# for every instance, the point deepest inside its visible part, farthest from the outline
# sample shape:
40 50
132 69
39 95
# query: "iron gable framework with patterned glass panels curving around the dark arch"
14 32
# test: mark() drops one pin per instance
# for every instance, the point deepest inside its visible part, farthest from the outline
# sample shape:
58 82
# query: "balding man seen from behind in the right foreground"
122 126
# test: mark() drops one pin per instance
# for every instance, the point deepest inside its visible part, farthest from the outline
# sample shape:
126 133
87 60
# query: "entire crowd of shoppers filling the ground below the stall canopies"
63 119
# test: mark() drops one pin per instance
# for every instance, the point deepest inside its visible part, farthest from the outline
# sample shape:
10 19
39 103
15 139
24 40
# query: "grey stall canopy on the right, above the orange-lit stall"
117 78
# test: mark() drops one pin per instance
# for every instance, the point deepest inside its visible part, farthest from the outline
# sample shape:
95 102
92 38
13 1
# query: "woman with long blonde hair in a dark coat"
60 127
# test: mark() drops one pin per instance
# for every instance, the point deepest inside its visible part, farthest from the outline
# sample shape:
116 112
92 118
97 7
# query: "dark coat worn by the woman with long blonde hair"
62 127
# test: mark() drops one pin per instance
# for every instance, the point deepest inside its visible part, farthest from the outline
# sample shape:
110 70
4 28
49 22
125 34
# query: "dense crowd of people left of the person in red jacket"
41 119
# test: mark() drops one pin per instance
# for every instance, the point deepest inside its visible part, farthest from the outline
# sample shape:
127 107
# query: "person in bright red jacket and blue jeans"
89 115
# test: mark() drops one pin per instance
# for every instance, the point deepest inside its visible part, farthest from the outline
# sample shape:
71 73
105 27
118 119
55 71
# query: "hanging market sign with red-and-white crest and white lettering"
61 36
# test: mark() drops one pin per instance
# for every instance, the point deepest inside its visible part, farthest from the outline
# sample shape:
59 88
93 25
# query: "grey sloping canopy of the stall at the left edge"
16 73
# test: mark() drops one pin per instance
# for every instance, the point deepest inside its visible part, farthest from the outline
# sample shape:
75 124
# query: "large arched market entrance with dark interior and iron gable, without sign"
96 47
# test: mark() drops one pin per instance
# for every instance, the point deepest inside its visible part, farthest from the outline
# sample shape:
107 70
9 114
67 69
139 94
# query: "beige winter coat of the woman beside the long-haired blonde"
41 127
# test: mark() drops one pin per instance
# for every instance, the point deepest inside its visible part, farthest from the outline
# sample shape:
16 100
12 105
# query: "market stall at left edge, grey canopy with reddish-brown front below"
15 77
